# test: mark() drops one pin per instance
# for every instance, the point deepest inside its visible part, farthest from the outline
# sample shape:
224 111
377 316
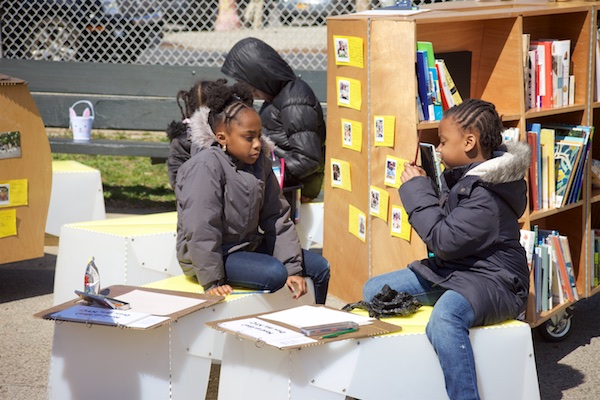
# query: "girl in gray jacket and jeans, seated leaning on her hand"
234 226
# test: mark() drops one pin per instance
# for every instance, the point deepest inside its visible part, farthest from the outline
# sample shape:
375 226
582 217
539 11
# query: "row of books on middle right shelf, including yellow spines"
558 156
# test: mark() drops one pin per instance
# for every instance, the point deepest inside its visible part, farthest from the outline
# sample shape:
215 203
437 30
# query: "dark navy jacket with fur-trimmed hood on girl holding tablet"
473 232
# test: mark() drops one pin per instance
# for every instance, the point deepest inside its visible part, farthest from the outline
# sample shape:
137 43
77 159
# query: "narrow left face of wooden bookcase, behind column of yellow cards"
347 254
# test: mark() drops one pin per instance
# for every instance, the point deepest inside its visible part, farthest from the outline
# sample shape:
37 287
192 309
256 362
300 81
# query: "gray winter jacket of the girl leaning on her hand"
224 205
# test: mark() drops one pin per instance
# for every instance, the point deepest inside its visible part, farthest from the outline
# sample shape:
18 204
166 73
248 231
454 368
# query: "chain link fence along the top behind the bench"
169 32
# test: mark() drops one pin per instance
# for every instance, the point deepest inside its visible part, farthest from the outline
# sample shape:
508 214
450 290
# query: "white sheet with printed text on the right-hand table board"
267 332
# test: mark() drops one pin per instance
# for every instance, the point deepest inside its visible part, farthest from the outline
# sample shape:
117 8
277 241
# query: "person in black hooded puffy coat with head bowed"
291 114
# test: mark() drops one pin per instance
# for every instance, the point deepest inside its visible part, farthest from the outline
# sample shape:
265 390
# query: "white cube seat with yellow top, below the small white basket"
76 195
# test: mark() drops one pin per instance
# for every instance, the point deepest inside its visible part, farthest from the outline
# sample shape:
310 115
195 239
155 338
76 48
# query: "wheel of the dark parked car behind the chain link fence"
53 40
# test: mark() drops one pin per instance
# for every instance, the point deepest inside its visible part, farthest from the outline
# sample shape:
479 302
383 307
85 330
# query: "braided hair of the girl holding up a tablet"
482 116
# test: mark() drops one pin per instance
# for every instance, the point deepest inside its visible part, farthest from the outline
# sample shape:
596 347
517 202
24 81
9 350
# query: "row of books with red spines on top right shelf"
548 79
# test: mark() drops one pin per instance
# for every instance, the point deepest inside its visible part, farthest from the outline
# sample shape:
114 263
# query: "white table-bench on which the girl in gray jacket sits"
168 362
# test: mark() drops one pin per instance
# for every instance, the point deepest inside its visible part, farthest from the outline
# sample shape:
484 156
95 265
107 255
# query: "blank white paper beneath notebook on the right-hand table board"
311 315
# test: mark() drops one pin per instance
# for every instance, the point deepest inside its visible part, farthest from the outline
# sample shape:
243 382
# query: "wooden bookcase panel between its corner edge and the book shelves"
392 92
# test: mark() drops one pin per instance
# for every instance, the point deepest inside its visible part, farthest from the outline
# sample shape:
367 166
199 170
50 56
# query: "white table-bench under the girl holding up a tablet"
393 366
